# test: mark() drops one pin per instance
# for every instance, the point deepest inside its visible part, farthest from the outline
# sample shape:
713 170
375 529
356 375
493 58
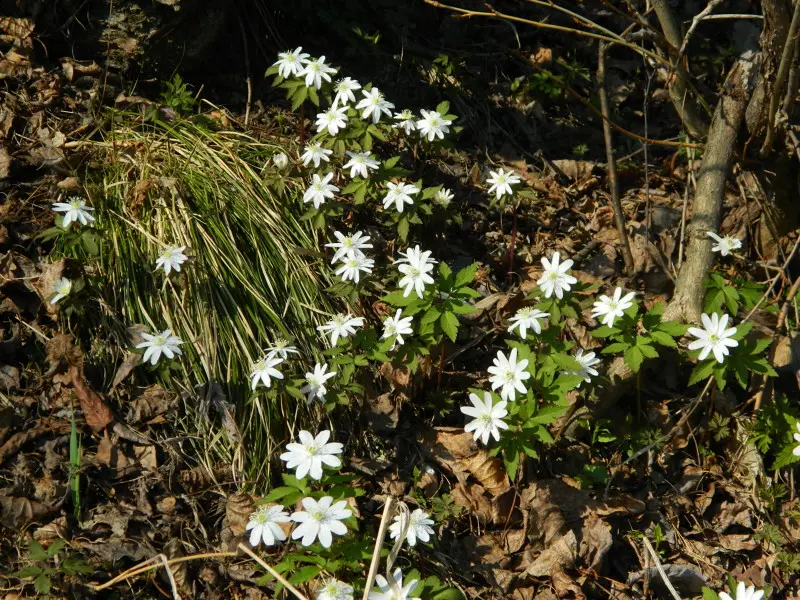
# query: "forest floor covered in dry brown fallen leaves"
571 524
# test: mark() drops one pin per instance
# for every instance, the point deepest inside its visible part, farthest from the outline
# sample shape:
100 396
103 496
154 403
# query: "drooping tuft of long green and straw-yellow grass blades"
249 282
